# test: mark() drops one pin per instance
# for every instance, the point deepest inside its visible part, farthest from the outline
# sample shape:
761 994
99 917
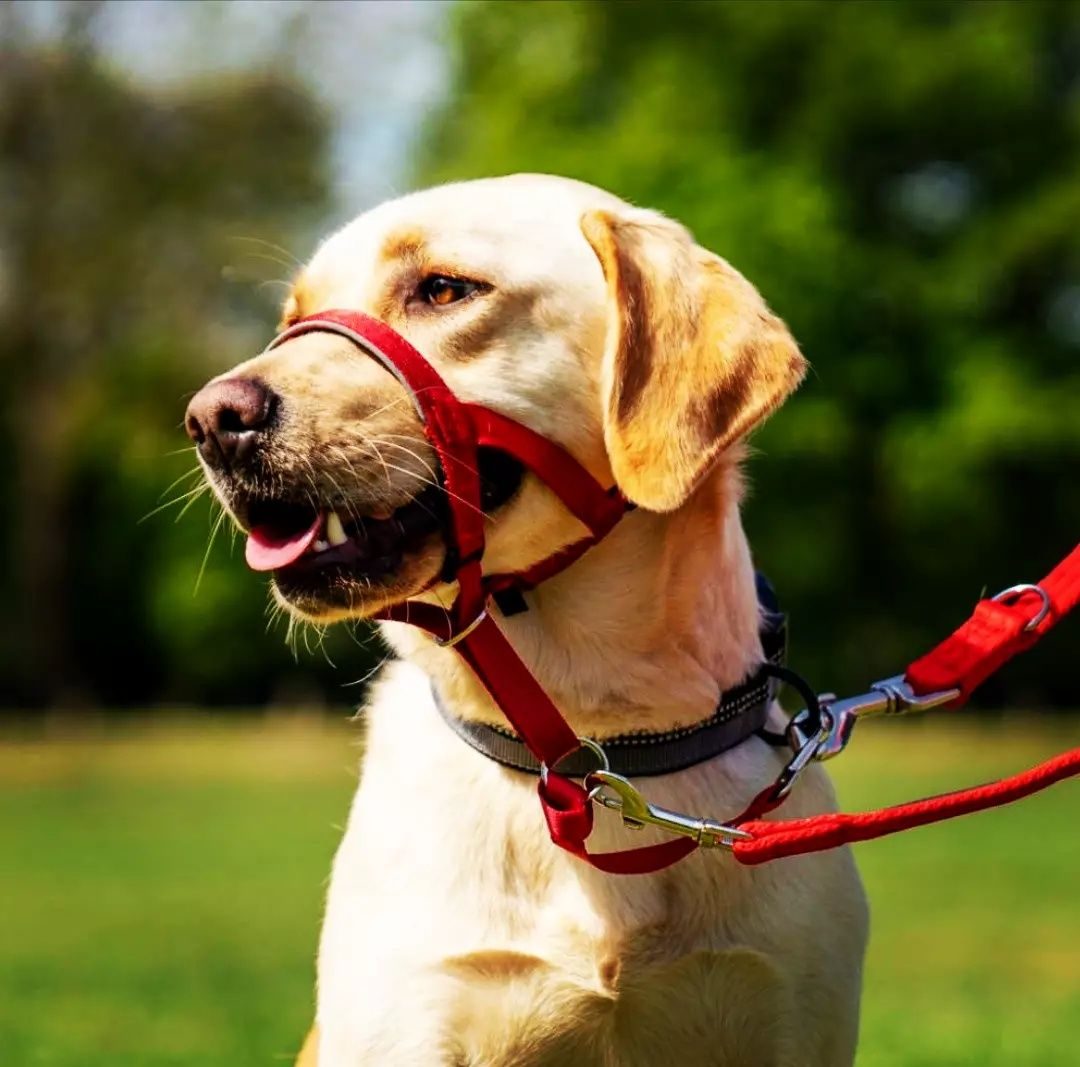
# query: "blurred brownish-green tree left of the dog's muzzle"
117 210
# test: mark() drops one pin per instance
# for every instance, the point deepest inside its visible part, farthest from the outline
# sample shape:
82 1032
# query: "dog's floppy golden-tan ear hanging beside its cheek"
695 359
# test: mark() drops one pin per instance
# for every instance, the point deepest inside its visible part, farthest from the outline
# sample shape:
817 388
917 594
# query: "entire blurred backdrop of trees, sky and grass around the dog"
902 182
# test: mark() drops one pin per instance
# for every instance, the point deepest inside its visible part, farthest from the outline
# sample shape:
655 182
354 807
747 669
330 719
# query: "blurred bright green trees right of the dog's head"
902 181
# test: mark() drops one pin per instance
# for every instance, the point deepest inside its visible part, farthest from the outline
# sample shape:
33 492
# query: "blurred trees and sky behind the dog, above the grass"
902 182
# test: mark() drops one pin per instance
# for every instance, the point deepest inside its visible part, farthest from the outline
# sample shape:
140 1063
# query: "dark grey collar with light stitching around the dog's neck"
741 712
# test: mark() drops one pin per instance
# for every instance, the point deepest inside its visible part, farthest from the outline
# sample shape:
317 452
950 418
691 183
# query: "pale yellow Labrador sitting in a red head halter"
455 933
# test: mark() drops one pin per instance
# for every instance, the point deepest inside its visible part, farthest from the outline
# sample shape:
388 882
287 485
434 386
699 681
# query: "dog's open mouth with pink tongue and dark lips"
335 555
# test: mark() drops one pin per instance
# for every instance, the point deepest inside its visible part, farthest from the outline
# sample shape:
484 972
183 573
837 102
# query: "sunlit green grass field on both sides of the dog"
161 884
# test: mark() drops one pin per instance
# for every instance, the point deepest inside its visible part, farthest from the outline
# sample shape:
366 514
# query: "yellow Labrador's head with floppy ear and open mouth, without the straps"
602 327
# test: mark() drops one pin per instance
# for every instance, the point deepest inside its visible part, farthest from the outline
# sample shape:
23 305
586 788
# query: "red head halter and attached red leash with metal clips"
998 630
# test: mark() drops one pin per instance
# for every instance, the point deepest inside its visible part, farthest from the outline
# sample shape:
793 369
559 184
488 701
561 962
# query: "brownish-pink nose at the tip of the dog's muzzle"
226 417
